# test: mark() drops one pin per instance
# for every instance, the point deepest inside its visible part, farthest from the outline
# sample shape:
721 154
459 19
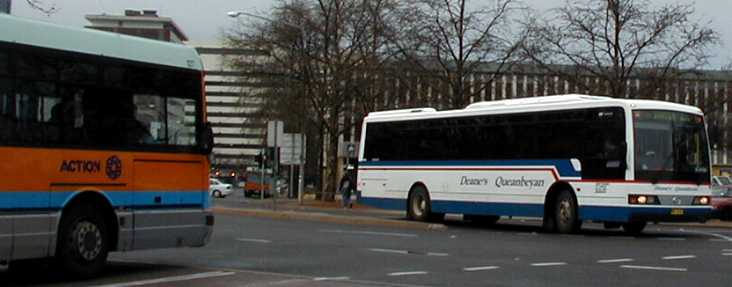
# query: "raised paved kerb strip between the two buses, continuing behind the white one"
359 214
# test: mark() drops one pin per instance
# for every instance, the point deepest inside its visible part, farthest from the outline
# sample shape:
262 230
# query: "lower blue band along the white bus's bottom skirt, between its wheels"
597 213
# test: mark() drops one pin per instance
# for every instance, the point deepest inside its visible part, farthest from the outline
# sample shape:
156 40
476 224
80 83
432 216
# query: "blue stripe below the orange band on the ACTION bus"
58 199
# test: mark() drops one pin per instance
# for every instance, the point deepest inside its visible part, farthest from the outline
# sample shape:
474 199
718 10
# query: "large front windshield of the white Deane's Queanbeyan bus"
670 146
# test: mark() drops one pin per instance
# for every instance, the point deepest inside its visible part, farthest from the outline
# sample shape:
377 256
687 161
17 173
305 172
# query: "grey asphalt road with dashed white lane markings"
247 251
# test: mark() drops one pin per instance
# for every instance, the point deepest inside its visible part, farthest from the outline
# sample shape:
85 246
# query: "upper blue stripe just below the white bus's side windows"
563 166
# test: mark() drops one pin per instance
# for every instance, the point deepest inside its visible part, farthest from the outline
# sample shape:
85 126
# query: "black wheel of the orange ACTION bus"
83 242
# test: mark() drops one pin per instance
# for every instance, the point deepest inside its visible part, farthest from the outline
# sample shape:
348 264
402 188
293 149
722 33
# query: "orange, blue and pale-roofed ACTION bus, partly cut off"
103 145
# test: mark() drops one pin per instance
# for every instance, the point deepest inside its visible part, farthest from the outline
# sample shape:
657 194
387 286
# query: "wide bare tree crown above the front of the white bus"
617 41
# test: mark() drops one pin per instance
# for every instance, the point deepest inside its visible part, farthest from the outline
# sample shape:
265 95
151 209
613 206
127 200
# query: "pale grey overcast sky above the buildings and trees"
203 20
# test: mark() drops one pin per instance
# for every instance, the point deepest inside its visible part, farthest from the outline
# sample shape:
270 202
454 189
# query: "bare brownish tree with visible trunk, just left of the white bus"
326 61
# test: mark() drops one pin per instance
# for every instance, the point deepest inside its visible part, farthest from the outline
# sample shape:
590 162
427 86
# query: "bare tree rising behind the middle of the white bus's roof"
454 40
